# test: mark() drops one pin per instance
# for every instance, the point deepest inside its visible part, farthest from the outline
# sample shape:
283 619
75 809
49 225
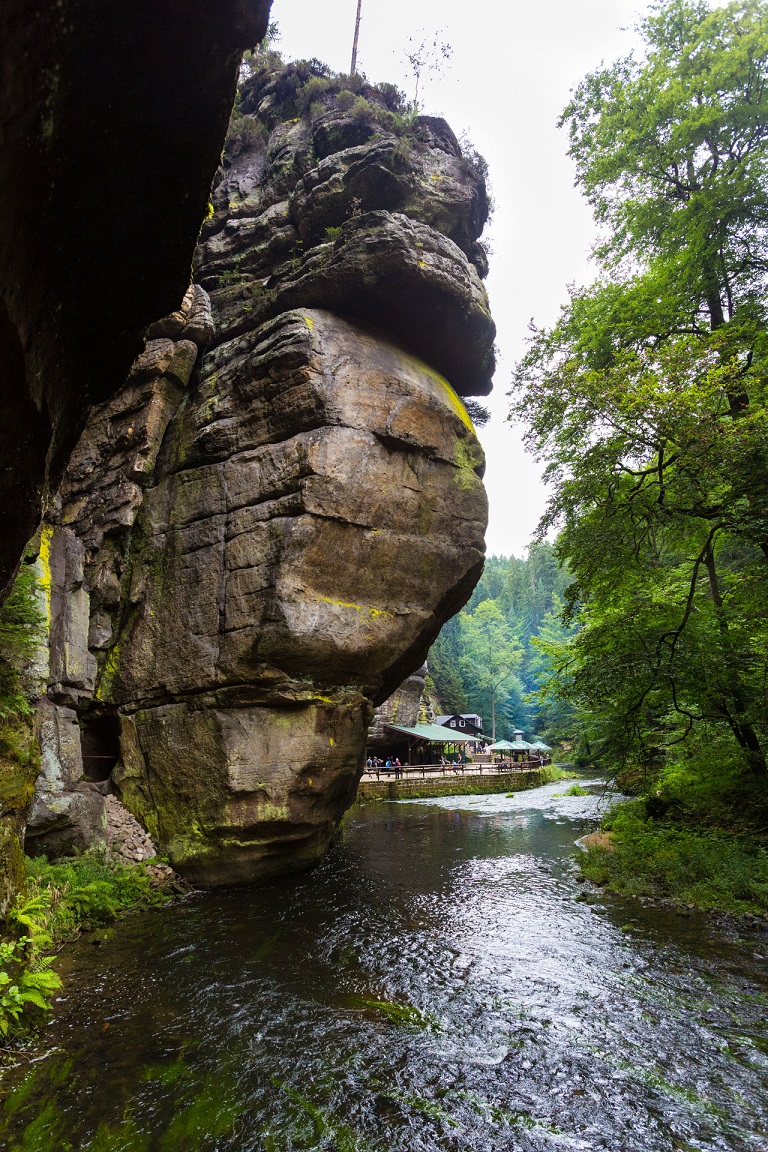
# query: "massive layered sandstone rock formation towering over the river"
261 536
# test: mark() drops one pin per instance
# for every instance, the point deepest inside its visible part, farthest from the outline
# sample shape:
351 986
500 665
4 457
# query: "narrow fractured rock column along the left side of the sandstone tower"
83 549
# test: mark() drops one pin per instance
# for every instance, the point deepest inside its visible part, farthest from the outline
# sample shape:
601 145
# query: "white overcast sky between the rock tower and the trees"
510 79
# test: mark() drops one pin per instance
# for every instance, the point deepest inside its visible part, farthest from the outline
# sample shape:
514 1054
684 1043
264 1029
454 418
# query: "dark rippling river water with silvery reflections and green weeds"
442 982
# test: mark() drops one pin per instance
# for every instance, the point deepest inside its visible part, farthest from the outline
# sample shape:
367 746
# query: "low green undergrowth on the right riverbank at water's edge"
713 869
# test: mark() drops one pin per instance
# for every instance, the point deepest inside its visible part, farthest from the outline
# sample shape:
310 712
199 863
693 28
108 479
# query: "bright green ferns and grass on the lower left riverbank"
63 899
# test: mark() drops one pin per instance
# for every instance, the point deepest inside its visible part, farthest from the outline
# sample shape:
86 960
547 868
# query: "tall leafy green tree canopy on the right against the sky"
648 399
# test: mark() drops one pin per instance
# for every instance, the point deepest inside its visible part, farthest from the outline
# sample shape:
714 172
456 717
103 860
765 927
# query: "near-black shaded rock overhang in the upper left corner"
112 119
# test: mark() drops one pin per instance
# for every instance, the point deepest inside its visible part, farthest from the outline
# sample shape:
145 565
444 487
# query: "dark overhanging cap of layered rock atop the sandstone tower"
352 208
